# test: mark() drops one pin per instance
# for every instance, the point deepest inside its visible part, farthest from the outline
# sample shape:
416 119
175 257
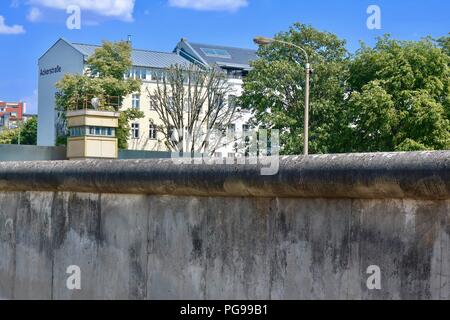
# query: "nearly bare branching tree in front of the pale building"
192 105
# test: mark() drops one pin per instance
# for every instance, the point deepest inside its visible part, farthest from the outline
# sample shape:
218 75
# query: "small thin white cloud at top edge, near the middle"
209 5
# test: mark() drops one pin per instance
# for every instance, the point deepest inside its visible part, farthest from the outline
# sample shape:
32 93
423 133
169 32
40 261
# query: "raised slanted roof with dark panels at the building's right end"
237 56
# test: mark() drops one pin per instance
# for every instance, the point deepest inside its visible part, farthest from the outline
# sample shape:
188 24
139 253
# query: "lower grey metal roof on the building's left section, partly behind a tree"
141 58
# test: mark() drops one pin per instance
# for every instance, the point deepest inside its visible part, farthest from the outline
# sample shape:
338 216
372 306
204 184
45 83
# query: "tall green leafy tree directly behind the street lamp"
275 88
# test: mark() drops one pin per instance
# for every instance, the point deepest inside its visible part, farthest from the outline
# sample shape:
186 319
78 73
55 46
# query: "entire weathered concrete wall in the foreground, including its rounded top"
184 232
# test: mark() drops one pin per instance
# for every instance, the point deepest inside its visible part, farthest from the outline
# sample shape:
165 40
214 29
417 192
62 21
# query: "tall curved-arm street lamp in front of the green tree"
262 41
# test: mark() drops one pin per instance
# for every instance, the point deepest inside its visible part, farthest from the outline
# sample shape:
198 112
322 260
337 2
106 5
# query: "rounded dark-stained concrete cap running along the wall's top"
421 175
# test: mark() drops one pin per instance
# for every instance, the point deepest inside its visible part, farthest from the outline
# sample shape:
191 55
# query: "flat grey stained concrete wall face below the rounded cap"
167 247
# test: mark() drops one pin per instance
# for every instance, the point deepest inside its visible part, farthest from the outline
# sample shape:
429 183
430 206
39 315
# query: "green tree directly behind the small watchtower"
104 79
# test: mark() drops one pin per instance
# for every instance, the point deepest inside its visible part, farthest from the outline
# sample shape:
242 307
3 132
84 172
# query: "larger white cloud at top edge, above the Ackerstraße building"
122 9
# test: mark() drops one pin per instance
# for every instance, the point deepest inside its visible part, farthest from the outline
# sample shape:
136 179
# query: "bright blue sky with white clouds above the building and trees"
29 27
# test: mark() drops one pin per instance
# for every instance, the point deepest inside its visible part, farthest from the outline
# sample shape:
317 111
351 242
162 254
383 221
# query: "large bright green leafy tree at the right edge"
400 97
